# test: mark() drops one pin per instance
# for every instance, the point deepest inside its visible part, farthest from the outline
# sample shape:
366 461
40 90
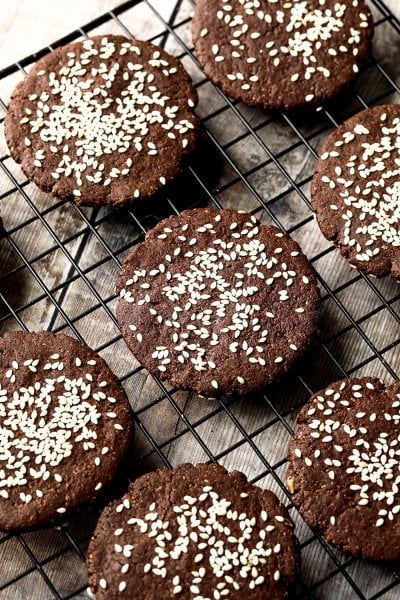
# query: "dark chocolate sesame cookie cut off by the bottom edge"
193 532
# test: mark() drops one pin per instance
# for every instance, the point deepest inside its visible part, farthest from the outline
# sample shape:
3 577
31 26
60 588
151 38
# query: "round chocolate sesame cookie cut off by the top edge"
282 53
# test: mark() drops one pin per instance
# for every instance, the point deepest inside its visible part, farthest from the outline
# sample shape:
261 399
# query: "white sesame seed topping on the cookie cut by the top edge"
302 34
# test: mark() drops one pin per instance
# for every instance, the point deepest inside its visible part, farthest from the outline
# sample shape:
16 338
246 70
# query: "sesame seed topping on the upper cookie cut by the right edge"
366 209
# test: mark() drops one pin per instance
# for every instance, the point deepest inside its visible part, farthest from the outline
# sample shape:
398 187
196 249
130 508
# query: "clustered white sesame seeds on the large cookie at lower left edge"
57 403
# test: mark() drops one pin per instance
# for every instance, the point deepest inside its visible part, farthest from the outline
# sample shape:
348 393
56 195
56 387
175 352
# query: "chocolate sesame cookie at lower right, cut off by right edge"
345 467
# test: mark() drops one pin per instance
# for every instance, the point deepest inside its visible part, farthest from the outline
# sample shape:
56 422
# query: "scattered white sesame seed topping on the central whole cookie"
188 279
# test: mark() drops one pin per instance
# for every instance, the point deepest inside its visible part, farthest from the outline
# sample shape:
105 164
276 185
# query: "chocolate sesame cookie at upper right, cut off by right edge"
356 190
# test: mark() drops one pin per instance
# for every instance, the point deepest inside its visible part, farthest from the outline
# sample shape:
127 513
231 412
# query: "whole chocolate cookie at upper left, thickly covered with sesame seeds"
103 121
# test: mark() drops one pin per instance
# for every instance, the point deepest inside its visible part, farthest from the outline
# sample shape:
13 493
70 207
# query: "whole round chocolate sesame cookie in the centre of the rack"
217 303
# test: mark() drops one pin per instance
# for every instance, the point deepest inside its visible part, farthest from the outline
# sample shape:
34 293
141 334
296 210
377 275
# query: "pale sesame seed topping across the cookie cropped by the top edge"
290 33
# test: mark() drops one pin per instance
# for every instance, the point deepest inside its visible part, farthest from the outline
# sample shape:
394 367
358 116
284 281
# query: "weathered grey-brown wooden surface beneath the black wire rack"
79 274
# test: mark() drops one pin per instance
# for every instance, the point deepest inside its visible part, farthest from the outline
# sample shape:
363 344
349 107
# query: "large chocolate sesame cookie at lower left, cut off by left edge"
65 425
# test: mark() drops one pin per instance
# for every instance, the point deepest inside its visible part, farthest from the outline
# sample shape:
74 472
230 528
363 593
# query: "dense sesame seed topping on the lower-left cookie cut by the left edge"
49 411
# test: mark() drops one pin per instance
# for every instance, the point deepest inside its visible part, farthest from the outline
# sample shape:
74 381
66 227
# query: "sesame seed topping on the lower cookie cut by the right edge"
362 447
